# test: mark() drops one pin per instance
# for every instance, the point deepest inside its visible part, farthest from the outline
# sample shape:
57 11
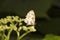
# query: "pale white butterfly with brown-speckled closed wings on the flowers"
30 18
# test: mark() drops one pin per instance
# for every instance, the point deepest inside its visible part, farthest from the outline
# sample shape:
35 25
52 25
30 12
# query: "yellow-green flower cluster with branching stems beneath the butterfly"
10 23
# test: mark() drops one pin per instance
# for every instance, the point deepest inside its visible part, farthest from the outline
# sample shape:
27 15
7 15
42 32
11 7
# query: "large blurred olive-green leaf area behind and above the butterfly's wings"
21 7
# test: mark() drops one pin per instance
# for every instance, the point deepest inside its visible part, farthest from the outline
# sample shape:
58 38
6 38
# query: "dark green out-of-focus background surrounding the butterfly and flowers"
44 23
